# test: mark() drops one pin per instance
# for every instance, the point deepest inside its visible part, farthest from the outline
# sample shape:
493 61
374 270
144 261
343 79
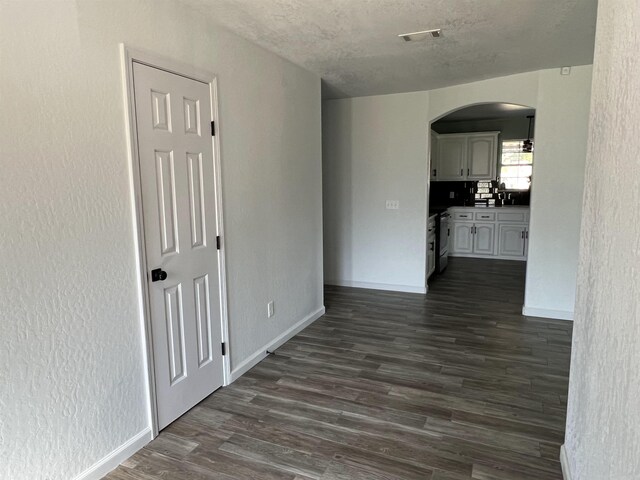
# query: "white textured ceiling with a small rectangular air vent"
353 44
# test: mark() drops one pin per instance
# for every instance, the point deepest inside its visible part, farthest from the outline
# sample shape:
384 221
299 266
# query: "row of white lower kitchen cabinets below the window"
485 233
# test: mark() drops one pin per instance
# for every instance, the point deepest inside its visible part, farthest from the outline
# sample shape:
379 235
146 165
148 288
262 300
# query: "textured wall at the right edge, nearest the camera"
603 425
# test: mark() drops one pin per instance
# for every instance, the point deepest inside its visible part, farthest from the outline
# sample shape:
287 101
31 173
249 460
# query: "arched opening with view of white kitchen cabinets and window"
480 180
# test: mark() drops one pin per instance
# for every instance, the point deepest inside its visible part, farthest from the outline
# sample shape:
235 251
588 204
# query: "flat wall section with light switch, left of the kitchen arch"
375 149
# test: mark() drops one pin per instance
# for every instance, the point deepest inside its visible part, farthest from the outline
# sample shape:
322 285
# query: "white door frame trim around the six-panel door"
128 57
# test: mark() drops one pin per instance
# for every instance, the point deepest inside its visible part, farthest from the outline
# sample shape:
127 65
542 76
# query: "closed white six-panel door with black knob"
173 120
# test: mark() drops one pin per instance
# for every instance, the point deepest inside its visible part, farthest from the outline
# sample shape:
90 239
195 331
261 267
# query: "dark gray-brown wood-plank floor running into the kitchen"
455 386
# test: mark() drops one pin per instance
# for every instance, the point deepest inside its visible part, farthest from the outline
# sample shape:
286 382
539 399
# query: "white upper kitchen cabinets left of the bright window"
464 156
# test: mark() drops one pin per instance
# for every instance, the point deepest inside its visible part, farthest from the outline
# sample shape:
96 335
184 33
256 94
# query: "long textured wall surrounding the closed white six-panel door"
72 383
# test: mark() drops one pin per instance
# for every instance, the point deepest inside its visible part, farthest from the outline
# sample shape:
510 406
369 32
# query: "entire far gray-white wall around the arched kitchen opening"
375 148
